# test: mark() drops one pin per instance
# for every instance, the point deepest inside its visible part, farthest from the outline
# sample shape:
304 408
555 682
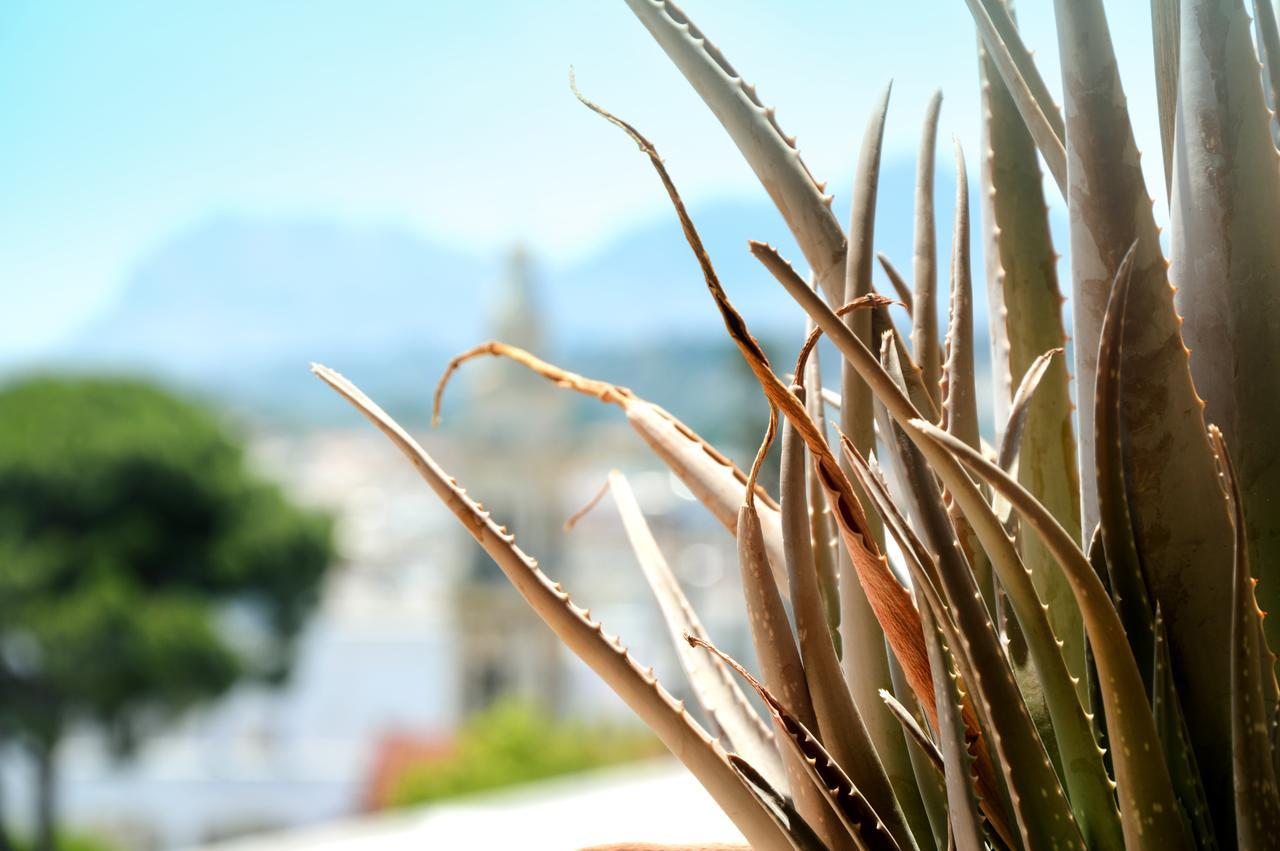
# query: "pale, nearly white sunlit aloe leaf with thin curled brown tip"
715 687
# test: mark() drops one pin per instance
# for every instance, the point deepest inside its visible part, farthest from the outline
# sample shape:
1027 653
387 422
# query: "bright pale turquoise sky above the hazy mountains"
126 122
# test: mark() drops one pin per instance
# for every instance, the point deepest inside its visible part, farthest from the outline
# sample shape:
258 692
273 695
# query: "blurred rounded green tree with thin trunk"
144 569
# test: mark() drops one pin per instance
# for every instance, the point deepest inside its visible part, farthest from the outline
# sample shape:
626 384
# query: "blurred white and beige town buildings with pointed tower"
417 629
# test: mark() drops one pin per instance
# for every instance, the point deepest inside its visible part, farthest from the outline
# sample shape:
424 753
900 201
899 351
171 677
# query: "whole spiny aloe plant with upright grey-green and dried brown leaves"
1069 651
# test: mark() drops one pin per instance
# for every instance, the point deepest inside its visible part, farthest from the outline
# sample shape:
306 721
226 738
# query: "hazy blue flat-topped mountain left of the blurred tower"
239 292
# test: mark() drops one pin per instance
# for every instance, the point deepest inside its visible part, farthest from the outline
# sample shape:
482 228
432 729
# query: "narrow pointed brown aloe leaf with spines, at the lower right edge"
1258 795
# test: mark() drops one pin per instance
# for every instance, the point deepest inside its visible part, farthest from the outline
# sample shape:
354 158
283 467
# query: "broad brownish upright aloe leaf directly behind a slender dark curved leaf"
1182 542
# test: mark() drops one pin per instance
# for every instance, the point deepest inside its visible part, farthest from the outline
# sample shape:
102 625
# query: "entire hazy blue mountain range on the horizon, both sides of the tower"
239 306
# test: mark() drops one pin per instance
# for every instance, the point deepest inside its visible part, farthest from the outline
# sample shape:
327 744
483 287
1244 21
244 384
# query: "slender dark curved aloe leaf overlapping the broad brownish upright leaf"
1124 568
